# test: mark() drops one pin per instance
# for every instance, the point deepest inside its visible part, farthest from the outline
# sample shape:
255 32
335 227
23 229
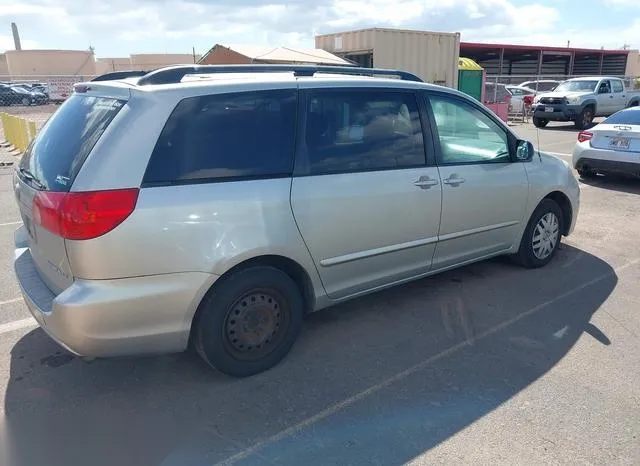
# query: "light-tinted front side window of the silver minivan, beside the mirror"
467 135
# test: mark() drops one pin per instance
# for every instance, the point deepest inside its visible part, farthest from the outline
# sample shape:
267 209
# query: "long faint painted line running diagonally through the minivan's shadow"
257 447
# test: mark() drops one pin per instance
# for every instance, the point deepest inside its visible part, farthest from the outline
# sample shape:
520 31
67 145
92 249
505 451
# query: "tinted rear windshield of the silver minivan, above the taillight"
56 155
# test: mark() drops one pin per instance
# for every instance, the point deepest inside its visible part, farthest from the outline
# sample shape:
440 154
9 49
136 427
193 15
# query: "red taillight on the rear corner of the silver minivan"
85 215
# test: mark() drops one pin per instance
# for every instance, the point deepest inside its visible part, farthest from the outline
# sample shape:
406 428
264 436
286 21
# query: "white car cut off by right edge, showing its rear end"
612 146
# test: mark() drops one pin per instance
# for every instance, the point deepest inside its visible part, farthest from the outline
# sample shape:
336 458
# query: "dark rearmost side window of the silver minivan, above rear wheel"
226 136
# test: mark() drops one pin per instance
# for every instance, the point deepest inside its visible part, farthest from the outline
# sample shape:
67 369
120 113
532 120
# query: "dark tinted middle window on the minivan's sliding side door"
359 131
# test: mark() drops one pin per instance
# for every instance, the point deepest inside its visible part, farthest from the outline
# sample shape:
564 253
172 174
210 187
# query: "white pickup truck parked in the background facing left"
581 99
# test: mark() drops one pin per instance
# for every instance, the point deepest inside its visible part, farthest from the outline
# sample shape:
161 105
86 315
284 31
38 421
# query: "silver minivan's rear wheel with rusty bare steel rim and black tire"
248 323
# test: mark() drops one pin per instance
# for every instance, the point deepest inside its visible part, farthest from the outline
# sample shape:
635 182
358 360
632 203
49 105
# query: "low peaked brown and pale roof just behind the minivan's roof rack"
246 54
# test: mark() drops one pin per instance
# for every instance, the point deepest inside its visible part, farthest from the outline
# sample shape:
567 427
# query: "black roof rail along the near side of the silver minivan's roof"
174 74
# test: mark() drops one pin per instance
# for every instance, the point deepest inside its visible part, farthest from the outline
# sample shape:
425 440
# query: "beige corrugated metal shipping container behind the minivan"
433 56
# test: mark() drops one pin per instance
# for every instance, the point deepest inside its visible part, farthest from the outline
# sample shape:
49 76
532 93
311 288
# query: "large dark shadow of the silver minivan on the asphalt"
380 379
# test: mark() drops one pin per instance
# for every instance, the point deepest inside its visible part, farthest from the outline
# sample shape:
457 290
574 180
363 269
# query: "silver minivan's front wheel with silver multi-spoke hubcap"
542 236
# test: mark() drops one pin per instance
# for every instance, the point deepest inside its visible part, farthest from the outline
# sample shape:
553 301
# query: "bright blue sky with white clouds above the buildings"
118 28
